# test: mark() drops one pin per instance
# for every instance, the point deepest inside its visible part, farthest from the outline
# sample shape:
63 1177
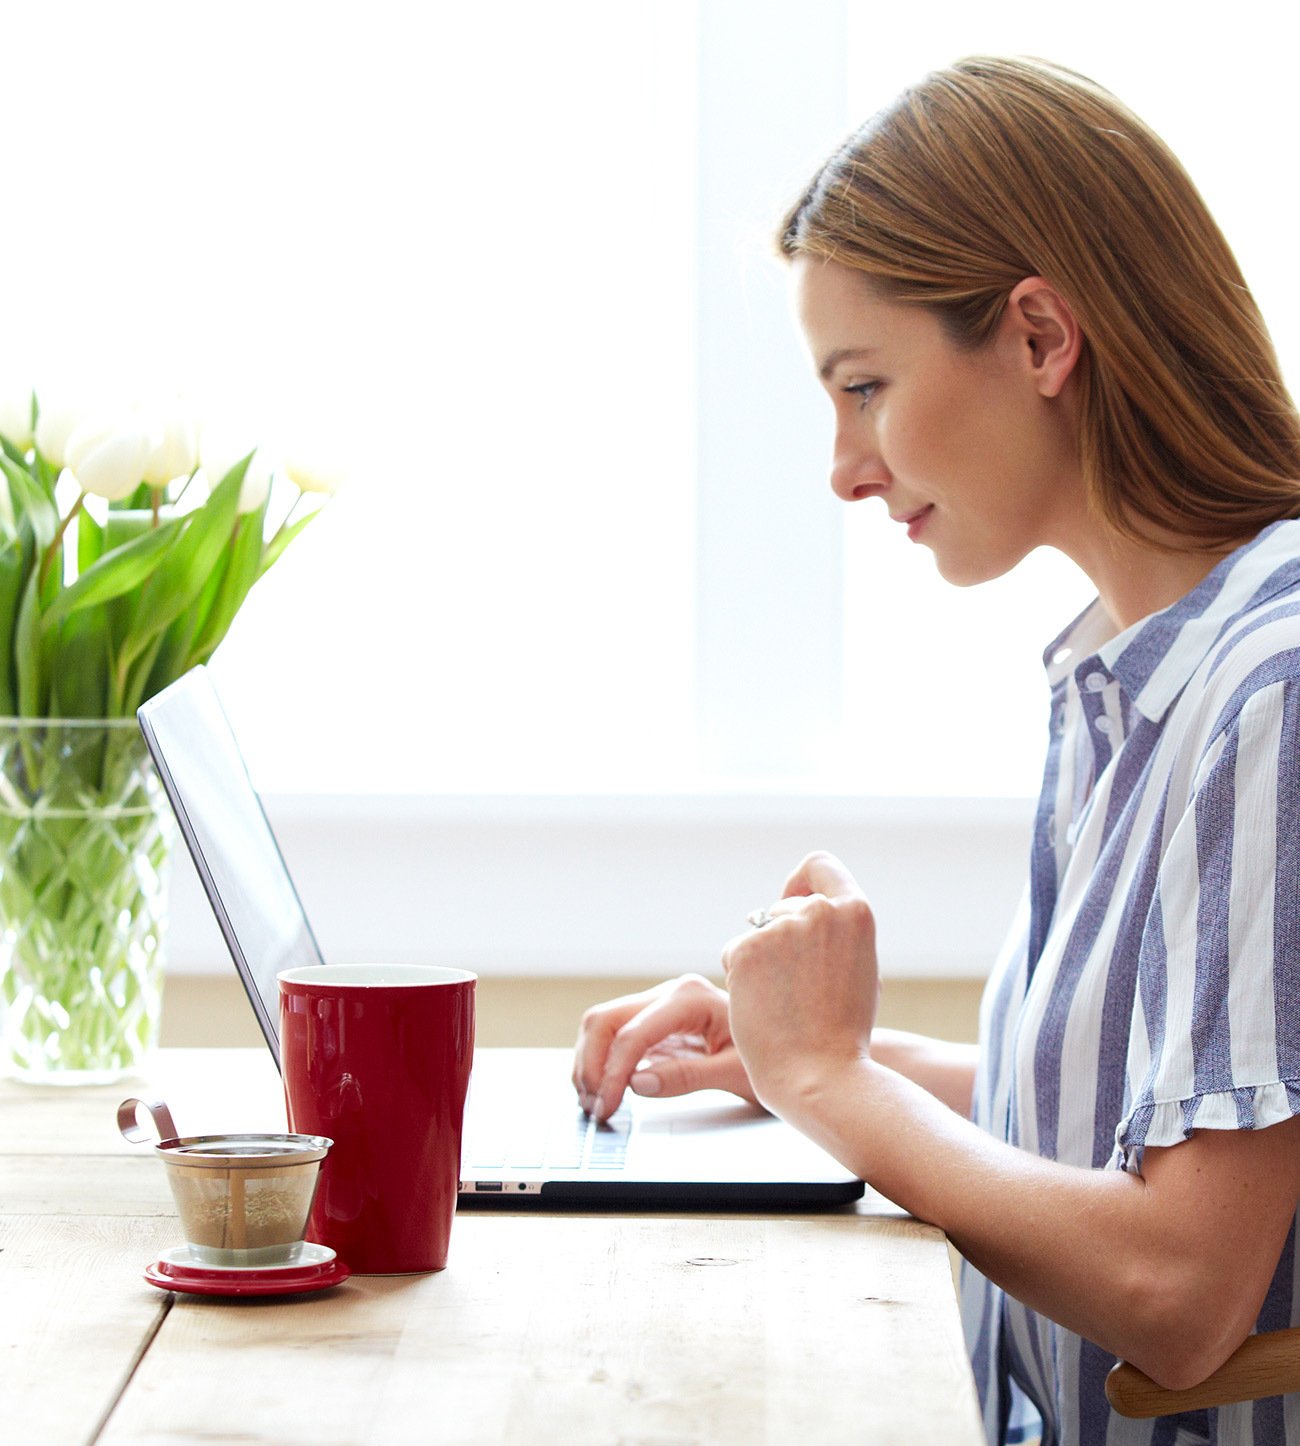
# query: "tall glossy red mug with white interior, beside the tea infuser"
378 1059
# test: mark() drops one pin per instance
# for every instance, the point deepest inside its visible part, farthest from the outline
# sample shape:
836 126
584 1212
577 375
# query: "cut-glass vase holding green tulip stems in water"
86 841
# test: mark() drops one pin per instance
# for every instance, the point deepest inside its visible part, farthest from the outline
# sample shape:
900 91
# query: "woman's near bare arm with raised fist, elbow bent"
1168 1269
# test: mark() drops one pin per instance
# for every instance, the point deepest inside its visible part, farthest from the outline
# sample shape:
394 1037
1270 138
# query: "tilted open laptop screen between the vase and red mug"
231 839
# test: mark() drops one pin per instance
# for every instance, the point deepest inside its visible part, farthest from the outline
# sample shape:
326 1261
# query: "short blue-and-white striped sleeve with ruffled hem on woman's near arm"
1217 1022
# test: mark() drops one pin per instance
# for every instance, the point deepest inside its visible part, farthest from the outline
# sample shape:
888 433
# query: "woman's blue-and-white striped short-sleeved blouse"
1152 983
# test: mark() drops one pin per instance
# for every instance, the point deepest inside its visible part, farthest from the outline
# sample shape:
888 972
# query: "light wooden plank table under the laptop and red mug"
546 1328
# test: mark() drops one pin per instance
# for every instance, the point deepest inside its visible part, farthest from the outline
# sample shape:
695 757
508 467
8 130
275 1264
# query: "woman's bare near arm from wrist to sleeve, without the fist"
1147 1266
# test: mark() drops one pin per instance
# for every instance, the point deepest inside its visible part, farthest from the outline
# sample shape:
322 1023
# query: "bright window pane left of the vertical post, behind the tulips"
452 244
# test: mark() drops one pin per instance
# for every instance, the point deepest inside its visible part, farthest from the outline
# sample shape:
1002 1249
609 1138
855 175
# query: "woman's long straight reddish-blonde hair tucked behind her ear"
997 170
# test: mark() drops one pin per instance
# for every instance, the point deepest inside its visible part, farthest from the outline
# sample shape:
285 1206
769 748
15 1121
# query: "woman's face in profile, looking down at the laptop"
962 446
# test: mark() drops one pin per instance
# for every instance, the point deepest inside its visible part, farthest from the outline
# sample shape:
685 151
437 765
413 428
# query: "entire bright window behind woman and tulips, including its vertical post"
514 264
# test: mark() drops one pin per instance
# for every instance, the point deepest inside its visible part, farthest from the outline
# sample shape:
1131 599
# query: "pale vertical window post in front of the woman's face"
770 534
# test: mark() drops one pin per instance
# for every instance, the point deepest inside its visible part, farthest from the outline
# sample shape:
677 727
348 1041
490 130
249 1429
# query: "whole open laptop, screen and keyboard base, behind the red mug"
527 1142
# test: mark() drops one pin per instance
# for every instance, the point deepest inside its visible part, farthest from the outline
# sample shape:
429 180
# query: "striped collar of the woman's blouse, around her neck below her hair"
1155 659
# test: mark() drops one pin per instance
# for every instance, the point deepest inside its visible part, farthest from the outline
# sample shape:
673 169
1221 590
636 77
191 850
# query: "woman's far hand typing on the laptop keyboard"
667 1040
